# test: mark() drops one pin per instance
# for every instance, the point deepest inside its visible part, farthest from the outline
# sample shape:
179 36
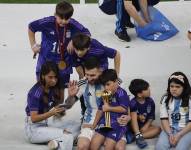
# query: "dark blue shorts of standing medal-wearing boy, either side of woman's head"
63 80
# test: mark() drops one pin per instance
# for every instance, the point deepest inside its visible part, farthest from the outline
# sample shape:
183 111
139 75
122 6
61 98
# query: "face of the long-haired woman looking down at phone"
50 79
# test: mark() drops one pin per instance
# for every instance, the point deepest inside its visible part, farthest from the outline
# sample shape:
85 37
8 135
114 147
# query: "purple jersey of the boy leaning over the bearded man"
97 50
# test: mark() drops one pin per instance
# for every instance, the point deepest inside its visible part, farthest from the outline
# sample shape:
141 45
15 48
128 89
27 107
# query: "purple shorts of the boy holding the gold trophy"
115 134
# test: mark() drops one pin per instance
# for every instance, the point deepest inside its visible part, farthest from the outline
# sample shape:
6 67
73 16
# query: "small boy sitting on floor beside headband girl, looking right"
142 112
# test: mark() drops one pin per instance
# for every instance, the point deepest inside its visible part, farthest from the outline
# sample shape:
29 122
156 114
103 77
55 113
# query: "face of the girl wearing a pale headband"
176 89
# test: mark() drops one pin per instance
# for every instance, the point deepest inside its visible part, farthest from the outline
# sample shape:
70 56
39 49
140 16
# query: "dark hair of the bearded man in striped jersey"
91 63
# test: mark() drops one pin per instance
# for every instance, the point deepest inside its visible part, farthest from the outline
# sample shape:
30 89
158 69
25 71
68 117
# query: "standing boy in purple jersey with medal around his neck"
57 32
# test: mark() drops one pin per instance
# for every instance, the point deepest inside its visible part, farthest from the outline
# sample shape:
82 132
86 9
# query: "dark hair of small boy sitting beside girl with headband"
137 86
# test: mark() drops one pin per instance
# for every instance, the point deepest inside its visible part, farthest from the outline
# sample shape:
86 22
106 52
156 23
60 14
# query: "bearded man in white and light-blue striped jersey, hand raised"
91 89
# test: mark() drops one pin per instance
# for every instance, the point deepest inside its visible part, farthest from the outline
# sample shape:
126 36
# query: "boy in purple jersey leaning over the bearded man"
85 47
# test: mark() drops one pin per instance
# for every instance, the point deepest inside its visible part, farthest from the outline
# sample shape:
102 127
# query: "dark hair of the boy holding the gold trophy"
108 75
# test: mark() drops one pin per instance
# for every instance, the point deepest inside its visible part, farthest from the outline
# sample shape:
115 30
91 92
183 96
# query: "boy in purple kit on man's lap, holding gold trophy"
118 106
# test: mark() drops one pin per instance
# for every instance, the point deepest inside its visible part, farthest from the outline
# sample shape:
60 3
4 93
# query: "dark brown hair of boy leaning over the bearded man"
81 41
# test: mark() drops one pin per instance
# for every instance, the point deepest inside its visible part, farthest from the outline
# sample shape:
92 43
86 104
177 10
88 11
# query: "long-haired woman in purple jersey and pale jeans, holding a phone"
41 105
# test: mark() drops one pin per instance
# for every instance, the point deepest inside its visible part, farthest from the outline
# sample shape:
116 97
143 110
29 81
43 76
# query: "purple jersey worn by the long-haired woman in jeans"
35 100
